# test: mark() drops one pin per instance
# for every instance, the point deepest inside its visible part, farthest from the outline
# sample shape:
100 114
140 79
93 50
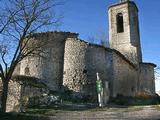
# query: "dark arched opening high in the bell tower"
120 26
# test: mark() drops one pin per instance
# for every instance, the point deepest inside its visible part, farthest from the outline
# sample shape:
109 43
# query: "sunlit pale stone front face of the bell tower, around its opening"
115 38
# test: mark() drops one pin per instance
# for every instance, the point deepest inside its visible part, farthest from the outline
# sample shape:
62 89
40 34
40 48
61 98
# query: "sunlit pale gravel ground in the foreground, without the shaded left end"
146 113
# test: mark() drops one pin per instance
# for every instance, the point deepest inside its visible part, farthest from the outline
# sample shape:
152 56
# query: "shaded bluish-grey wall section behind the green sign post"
99 59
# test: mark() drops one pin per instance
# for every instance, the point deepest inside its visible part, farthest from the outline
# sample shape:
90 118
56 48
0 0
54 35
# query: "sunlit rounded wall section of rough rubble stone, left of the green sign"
74 65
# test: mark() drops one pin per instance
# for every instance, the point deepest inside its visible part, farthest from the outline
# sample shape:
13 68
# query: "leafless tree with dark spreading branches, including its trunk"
19 20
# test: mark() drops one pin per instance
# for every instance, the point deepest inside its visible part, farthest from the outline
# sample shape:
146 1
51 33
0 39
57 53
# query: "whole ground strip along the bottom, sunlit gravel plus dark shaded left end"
111 113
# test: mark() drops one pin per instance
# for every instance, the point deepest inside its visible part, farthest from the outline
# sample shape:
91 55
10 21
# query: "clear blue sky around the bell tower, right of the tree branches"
87 17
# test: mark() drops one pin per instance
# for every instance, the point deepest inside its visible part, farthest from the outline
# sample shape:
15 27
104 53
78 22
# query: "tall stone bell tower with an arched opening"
124 30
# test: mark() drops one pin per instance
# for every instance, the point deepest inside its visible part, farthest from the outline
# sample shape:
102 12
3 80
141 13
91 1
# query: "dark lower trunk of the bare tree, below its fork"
4 95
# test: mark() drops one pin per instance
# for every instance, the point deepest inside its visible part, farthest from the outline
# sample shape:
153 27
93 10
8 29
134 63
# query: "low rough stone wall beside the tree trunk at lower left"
18 95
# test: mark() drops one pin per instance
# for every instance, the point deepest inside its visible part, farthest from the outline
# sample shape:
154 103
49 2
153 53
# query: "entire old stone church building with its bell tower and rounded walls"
73 63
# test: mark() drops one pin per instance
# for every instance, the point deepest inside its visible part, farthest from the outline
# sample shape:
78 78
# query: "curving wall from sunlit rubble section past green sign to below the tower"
112 67
